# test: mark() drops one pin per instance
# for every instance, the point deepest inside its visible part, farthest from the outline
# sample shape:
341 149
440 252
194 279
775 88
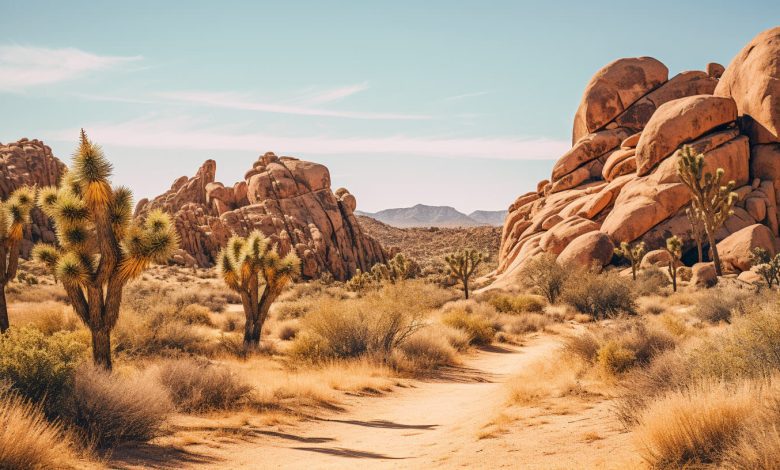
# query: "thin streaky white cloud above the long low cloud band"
245 102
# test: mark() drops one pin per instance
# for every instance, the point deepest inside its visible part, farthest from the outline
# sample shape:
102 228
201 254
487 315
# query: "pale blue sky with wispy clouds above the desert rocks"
460 103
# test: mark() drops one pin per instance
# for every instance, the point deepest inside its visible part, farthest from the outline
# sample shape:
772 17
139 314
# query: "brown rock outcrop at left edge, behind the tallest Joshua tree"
30 162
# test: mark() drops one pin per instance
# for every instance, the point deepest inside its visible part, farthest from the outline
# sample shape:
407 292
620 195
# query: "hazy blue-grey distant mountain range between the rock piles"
435 216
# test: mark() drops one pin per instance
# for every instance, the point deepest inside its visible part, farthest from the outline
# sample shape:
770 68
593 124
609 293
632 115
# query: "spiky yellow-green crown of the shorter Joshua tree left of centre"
253 259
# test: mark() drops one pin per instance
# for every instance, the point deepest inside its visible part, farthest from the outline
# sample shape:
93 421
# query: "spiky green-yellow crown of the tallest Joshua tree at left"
91 219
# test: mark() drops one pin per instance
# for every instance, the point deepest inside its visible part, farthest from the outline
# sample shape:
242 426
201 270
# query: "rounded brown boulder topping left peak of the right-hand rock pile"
614 88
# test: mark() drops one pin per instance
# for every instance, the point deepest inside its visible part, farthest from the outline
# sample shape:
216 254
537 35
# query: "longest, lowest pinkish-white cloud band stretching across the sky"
188 134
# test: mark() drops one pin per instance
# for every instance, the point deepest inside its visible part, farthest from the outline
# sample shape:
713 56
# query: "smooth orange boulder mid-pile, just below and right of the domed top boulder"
678 122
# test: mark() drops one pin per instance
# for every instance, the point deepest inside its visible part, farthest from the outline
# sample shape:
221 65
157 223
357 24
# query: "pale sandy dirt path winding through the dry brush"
435 424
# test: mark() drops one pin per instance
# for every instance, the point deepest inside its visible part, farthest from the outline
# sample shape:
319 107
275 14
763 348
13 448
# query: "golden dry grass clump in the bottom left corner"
28 440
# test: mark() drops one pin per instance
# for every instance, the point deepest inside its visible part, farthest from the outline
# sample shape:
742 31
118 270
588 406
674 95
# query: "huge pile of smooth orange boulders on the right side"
619 180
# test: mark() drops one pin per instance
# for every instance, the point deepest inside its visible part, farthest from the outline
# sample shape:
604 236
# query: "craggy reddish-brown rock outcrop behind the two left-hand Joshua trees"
289 200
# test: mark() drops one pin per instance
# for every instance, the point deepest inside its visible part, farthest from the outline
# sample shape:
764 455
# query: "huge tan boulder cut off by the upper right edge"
752 79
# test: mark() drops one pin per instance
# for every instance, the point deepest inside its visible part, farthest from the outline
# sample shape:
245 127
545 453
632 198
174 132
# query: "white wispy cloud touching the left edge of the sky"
23 67
